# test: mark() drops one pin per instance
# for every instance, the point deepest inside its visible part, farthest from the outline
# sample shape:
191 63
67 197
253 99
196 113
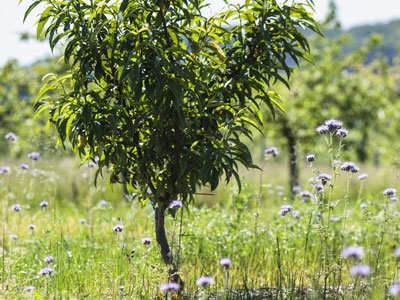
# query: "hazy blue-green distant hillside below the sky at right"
390 46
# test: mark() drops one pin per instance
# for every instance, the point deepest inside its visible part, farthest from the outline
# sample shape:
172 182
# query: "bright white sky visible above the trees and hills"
350 12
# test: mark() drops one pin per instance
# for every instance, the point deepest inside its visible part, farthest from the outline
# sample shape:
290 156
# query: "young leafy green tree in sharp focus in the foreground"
163 94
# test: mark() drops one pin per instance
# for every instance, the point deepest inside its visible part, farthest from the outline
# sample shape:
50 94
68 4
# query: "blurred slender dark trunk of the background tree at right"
293 168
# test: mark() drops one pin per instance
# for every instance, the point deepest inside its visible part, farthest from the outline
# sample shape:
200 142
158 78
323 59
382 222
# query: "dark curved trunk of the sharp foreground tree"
162 241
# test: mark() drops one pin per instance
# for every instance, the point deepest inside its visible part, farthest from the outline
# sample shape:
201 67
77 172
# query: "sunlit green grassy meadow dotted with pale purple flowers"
51 208
